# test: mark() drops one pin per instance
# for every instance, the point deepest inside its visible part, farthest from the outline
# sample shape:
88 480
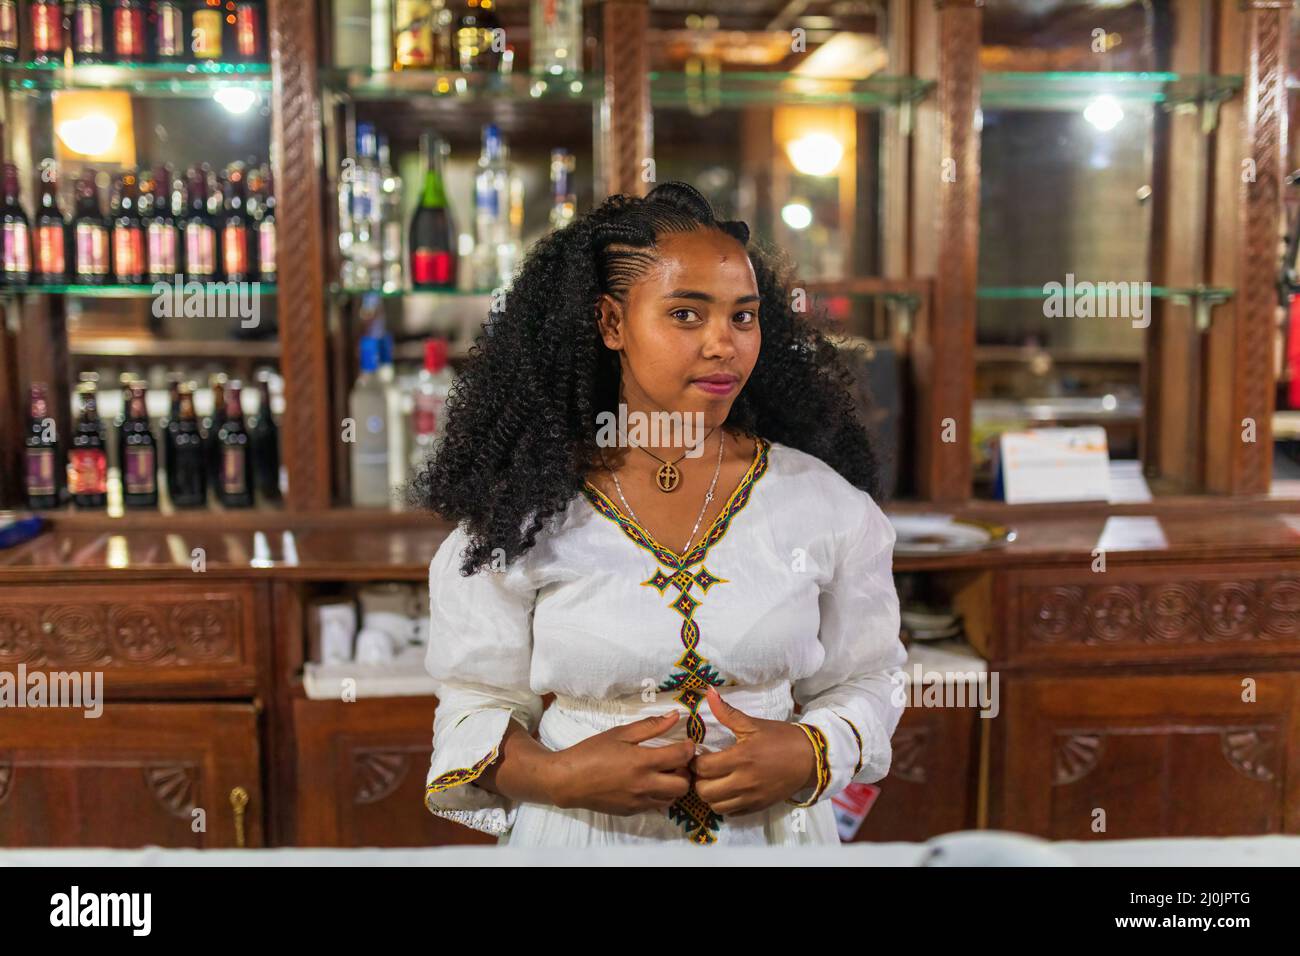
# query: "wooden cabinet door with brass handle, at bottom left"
137 775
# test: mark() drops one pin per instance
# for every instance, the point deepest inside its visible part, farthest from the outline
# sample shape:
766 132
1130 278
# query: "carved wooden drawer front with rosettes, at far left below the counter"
140 637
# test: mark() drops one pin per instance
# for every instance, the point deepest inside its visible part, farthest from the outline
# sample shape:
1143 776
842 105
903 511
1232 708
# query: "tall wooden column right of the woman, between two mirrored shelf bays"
946 243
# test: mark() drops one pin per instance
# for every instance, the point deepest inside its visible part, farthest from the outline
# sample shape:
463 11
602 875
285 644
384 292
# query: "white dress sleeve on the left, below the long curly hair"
480 656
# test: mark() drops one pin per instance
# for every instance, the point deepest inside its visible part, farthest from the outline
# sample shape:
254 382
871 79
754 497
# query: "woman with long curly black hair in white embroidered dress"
677 598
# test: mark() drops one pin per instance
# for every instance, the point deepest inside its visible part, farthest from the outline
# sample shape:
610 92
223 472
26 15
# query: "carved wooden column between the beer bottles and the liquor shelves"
309 432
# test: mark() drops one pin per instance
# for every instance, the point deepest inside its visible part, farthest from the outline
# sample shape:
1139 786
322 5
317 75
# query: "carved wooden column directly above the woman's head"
629 120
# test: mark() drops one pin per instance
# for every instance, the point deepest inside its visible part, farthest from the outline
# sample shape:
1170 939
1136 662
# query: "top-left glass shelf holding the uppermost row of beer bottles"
194 80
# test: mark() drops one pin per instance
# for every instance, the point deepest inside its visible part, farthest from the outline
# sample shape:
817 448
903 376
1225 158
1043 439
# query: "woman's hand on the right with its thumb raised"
770 762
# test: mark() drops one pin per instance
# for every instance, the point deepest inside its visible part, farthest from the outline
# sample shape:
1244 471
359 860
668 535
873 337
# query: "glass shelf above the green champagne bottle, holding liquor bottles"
396 85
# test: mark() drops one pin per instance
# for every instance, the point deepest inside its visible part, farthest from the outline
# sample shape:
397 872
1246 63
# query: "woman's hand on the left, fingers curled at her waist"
613 773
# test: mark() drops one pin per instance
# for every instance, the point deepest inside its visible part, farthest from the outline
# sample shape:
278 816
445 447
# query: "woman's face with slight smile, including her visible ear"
688 331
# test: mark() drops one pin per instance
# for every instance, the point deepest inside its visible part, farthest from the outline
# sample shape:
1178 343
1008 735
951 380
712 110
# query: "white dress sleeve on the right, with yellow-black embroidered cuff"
851 706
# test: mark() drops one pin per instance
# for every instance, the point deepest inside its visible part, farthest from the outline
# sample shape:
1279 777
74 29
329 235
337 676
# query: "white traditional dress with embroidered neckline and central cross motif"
787 599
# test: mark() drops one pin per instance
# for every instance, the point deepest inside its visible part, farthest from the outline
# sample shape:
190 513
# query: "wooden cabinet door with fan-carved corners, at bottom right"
1138 756
